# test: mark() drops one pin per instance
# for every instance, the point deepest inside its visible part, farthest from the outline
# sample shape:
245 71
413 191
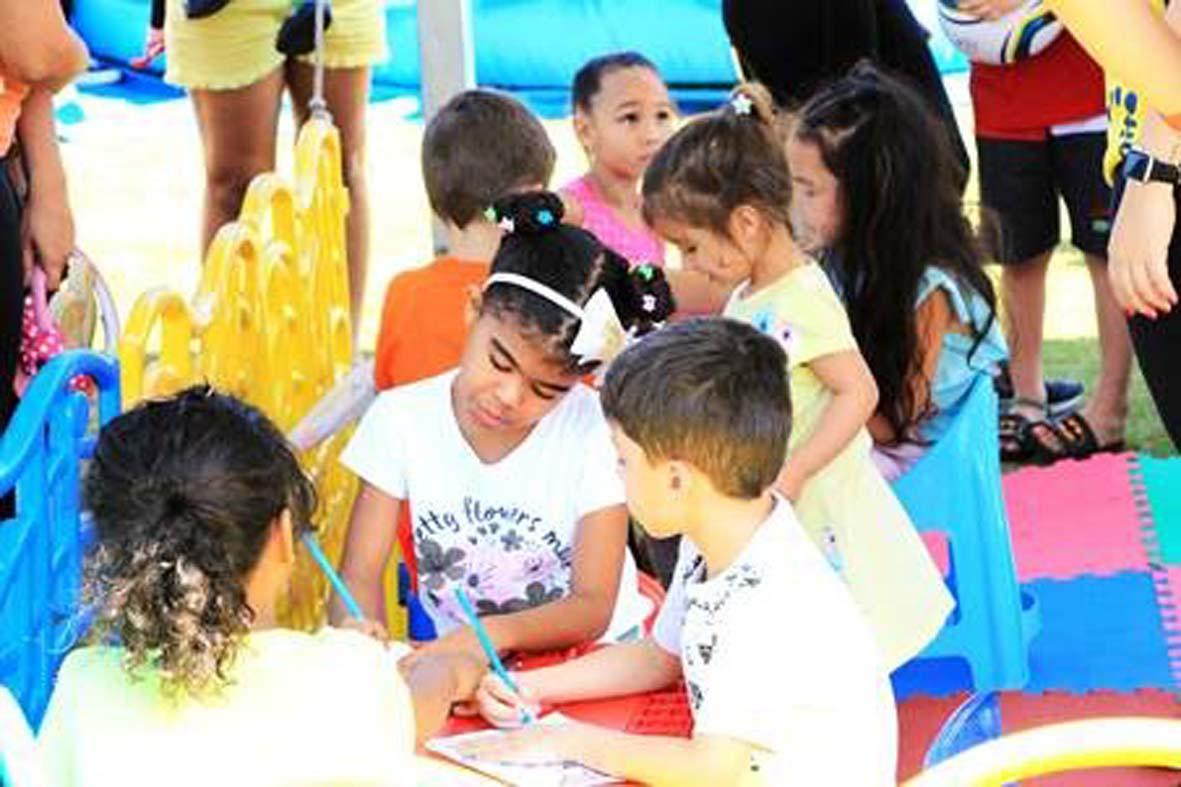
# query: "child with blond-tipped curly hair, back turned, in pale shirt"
198 504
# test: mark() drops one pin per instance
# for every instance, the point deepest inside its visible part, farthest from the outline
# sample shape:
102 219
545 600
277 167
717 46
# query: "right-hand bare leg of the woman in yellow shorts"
347 93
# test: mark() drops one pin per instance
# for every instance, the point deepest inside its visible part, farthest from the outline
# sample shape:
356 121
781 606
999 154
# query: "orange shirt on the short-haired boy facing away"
423 329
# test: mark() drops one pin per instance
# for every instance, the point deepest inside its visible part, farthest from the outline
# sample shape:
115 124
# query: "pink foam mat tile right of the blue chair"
1075 518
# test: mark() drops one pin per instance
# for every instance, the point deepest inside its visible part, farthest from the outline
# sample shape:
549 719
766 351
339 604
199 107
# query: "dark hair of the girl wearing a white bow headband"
575 264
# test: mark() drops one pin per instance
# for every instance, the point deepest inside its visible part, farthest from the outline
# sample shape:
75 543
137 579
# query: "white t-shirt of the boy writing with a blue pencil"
775 653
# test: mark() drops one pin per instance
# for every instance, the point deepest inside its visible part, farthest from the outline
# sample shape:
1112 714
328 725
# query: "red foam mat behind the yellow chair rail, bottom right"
921 719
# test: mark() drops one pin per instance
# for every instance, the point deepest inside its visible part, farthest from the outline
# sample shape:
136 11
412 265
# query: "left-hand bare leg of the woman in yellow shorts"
238 133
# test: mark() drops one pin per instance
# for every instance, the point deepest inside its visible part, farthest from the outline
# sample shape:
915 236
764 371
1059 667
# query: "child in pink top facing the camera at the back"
623 114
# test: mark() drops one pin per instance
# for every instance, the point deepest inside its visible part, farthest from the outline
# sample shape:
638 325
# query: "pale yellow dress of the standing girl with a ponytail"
847 509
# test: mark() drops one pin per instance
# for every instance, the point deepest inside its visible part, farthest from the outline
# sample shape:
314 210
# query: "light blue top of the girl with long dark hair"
962 359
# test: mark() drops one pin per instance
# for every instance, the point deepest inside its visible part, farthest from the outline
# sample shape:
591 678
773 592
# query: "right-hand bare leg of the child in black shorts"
1107 411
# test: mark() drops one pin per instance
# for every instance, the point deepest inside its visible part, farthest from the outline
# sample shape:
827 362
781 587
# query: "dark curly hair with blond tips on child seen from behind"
184 492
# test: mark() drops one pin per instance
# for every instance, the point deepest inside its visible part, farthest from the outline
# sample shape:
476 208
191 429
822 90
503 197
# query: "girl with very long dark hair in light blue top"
922 308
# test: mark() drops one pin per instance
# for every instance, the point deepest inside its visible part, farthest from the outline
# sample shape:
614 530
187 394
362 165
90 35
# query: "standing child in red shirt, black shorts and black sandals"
1041 134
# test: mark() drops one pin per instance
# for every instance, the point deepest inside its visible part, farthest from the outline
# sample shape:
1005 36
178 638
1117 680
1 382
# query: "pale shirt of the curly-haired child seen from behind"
329 708
